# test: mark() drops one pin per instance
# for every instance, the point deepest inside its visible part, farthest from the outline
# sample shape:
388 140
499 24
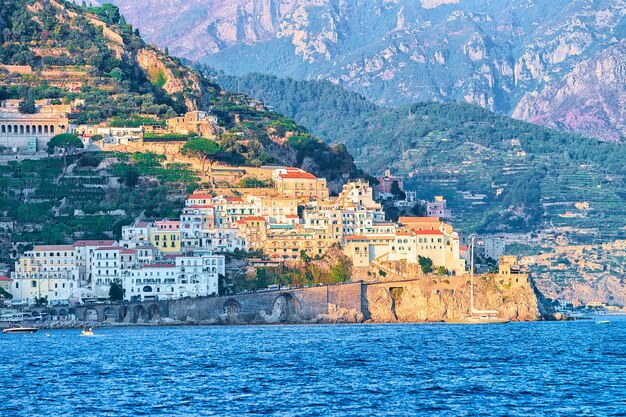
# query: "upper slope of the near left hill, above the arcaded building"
92 54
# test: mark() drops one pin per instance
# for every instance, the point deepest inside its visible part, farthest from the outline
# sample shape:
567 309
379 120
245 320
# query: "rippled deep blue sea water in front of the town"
552 369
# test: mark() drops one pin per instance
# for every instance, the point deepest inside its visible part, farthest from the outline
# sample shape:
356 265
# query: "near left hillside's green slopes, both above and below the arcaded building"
92 57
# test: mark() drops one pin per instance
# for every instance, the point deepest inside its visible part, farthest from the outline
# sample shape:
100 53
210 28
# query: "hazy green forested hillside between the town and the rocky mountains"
530 176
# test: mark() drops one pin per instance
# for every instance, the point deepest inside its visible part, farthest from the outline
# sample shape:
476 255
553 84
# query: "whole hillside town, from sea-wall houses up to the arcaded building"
279 227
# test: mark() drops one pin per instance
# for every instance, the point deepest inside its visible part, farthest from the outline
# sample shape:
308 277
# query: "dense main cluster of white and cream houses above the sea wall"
184 257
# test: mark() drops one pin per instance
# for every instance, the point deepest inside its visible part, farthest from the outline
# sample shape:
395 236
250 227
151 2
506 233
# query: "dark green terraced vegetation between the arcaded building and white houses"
51 207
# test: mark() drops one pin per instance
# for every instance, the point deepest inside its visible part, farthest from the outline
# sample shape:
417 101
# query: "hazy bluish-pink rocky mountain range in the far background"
505 55
